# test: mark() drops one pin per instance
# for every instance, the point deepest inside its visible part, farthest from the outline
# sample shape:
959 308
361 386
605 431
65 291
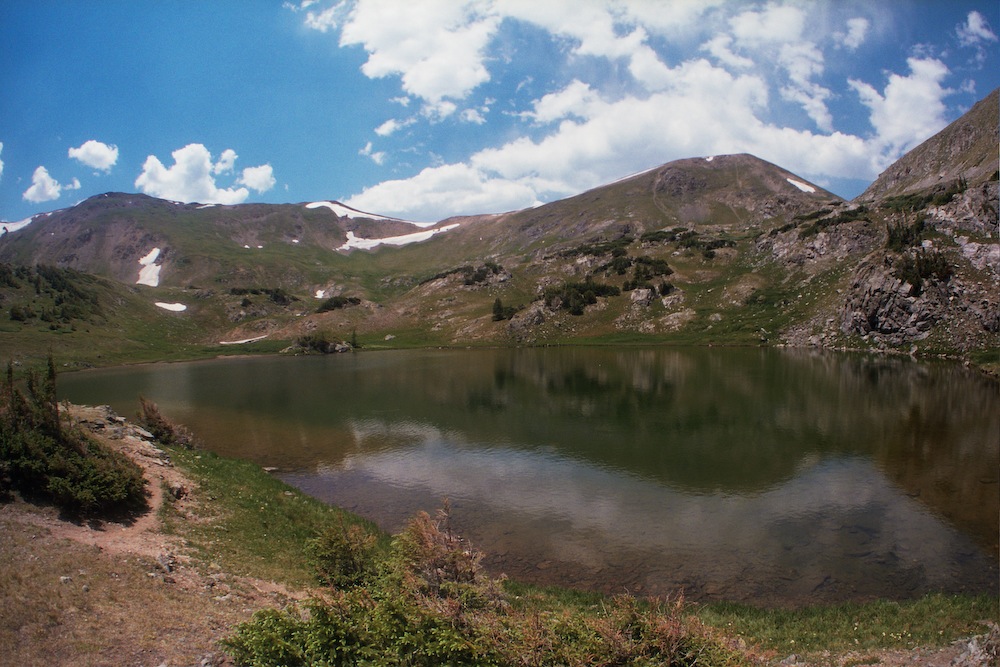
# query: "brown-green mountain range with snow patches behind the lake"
726 249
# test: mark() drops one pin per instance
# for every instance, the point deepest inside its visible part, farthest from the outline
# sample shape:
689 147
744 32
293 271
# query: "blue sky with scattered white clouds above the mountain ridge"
431 108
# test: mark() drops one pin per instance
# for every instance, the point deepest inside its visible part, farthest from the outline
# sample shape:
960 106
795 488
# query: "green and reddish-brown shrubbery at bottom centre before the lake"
430 603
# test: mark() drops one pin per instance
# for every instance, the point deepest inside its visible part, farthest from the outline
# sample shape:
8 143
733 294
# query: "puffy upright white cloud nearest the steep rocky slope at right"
910 109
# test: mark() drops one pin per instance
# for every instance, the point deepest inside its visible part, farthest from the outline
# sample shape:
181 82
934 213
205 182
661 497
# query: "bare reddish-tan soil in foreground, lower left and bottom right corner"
124 593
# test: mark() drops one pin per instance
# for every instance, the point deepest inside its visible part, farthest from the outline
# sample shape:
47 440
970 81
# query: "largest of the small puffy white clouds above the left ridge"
192 177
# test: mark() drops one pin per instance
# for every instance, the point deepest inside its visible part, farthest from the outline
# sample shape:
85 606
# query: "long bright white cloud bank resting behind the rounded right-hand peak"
599 140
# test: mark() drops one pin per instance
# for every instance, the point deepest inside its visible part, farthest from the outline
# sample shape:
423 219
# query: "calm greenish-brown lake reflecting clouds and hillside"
766 476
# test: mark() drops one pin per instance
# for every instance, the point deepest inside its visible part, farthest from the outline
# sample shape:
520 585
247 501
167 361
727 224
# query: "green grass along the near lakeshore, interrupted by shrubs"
260 527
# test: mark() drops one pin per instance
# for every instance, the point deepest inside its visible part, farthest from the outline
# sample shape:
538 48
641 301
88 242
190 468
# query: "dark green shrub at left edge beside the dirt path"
40 458
